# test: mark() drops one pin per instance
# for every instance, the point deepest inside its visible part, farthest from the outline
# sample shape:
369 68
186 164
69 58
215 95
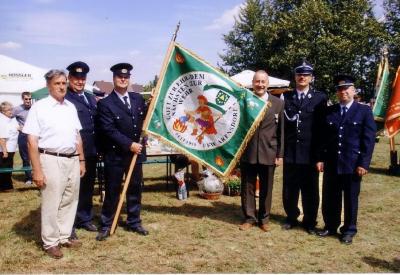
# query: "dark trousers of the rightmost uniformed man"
333 187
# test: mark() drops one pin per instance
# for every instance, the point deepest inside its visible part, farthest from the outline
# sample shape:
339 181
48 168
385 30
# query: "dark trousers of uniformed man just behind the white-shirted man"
84 213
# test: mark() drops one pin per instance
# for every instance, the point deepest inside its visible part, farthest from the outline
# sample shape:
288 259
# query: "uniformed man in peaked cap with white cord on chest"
304 108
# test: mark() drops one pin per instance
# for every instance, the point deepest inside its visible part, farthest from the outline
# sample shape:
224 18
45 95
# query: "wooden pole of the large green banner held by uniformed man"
146 121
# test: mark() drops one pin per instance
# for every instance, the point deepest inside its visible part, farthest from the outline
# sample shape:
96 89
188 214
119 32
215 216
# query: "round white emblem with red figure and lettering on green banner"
196 113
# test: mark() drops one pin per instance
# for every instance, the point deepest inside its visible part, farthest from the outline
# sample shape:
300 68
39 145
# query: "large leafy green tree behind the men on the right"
339 36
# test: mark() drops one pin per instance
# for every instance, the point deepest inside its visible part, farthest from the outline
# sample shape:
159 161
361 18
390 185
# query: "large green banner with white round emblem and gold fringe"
202 112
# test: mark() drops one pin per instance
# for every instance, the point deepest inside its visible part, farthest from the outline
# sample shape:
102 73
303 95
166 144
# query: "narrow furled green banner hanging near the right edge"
382 92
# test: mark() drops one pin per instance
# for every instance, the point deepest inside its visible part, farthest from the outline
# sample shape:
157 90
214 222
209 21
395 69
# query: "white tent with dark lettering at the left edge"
17 76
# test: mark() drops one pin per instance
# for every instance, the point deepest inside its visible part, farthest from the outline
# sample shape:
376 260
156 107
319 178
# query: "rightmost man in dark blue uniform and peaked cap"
346 152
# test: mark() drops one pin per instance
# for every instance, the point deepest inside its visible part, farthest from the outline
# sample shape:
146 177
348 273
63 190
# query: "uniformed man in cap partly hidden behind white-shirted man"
85 104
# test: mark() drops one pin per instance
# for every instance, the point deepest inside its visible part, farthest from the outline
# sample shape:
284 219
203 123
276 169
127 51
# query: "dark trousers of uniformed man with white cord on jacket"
301 178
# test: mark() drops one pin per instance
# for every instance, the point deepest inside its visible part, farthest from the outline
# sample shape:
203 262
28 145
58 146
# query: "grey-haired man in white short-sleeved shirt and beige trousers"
55 150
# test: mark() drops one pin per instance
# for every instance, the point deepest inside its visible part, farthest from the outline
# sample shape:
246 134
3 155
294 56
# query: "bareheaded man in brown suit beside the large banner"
263 153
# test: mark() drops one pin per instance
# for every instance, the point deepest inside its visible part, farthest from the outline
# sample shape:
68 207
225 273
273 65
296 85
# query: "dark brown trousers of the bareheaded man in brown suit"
249 173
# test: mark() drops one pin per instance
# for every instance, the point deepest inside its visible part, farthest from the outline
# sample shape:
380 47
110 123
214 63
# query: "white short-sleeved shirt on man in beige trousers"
56 124
